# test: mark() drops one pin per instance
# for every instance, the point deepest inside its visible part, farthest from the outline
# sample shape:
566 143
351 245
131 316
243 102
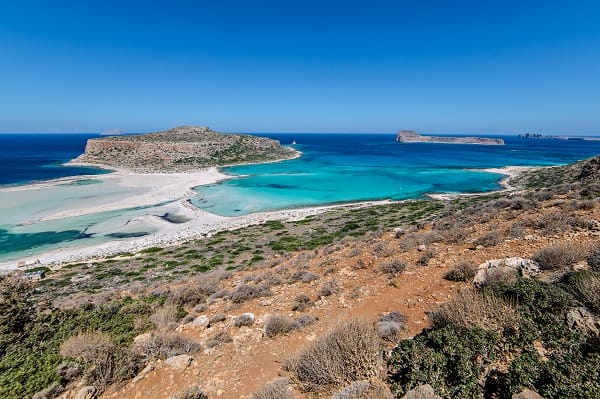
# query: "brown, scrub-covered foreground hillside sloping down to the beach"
479 296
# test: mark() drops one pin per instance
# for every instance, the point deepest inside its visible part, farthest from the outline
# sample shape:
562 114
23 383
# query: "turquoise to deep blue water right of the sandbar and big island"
339 168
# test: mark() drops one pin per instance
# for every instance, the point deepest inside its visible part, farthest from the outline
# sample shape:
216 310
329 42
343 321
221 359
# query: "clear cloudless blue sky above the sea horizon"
301 66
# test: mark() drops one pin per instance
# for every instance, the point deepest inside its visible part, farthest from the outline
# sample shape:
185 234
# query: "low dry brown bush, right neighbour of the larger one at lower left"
162 344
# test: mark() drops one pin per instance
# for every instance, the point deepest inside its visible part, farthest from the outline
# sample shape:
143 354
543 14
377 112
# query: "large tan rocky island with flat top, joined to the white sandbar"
181 149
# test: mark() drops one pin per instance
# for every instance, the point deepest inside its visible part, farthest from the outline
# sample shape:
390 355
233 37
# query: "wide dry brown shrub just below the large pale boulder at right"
471 308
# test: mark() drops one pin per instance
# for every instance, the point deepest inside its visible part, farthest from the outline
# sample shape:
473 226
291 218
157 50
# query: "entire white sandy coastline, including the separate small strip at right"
175 188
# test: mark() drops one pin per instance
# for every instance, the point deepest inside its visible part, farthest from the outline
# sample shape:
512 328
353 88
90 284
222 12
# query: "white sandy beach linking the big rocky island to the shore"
151 189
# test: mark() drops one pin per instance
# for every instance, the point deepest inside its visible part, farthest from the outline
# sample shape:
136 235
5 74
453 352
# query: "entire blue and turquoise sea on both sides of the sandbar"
333 168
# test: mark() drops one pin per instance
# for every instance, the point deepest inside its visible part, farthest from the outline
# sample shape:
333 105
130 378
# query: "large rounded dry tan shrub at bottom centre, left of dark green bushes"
348 353
